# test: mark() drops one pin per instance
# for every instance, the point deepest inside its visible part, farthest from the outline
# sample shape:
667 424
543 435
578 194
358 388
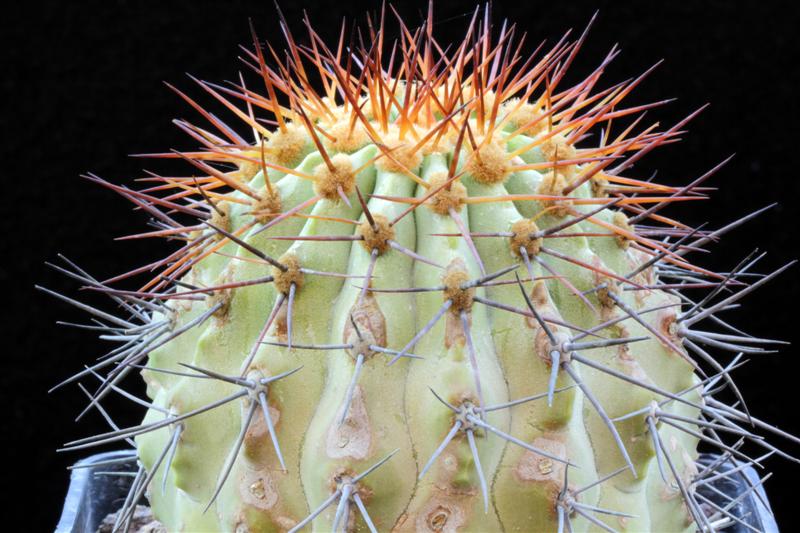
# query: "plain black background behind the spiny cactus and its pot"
81 88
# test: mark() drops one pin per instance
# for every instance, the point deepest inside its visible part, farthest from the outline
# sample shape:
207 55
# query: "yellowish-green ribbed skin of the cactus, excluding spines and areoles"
393 408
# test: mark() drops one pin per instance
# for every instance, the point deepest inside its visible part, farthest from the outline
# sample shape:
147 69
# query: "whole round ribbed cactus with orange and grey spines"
424 298
